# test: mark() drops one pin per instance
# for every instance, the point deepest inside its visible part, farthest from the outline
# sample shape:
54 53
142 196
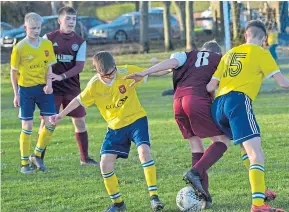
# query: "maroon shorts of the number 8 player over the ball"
193 115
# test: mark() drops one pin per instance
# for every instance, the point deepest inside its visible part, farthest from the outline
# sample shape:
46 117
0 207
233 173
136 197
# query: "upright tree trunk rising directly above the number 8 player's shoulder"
190 35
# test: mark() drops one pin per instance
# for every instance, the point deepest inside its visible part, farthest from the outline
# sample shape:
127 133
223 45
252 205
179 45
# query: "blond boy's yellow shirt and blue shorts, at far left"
32 65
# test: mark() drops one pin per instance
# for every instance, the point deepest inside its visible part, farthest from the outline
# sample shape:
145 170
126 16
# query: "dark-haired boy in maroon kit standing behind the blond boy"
70 51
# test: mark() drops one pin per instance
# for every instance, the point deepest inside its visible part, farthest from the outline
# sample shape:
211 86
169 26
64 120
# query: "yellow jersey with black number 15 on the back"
243 69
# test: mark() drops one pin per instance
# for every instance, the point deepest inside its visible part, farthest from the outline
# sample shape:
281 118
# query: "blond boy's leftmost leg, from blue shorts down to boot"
27 107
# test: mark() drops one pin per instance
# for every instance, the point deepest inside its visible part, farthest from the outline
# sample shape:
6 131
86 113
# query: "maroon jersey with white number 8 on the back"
195 74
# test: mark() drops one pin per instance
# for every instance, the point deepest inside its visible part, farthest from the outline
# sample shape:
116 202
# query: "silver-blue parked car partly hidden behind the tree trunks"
127 27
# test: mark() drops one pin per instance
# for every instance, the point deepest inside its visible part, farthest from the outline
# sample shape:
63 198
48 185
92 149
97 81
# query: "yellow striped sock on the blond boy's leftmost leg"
25 141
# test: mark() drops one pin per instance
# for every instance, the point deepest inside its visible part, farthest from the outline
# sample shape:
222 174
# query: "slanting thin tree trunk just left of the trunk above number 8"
180 8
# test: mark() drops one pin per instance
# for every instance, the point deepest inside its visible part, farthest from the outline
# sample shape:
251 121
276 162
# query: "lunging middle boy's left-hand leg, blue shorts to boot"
115 145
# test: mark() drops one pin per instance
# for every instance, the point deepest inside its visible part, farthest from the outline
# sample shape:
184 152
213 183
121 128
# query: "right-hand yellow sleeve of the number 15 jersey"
268 65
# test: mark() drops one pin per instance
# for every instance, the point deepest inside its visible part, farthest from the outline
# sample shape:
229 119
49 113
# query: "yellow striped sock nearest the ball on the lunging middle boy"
150 173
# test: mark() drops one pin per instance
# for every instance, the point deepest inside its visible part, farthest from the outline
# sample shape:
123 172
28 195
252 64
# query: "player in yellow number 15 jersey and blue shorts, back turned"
239 77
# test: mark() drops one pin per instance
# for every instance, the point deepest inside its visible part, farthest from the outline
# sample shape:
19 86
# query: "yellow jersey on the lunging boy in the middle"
117 102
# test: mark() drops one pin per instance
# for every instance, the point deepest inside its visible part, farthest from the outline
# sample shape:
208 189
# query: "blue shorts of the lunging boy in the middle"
118 141
